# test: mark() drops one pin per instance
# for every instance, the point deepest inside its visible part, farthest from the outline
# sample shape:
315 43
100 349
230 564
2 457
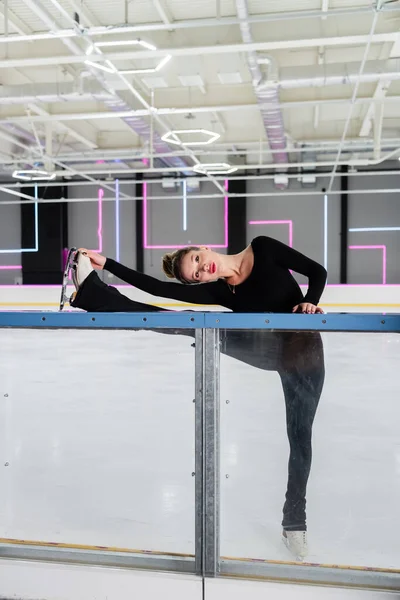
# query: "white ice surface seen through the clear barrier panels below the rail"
97 446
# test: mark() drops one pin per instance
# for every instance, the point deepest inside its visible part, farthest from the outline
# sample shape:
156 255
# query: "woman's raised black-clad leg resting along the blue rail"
96 296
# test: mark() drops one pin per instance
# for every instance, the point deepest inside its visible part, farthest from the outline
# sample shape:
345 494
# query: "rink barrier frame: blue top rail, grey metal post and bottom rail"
208 561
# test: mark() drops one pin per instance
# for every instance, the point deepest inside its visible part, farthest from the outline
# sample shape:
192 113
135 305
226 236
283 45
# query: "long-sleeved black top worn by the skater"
270 286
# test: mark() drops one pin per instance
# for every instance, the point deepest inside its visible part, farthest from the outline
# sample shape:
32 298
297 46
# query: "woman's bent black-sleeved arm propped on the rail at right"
295 261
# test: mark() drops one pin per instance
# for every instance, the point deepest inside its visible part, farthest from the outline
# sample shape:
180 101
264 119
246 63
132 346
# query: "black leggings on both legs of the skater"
298 357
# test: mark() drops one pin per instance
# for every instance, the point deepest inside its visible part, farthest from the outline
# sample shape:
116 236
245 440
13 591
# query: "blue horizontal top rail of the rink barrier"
350 322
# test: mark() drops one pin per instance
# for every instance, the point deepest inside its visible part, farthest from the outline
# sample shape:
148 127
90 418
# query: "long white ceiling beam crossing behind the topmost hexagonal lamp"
337 41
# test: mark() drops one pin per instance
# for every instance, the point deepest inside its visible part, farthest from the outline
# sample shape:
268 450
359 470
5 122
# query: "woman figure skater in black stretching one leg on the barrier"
258 279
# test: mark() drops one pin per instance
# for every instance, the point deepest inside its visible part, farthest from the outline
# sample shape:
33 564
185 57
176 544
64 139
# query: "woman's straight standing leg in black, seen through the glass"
302 379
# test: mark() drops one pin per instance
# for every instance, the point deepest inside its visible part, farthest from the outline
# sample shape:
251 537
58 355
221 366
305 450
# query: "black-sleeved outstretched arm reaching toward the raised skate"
206 293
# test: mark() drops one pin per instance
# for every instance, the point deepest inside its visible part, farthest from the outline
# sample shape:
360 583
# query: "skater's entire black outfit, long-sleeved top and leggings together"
297 356
